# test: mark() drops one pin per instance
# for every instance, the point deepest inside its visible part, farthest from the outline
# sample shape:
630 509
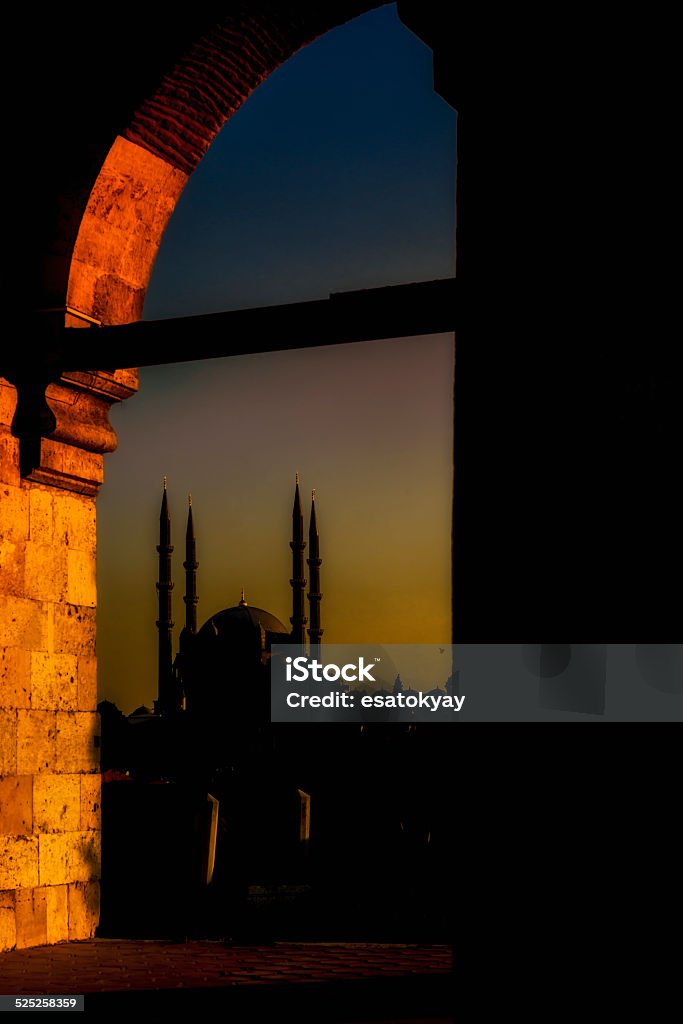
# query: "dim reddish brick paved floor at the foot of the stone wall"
318 982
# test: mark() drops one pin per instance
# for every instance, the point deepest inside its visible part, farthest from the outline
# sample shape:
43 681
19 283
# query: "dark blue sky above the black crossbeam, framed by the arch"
337 174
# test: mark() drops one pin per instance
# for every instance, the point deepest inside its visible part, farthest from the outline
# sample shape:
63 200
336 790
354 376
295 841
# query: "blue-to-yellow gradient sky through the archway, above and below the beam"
338 174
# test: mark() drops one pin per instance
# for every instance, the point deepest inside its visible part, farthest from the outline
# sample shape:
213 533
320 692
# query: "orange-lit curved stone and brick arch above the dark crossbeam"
150 161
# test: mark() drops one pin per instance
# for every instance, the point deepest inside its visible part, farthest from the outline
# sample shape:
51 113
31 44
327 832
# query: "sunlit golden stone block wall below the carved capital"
50 780
